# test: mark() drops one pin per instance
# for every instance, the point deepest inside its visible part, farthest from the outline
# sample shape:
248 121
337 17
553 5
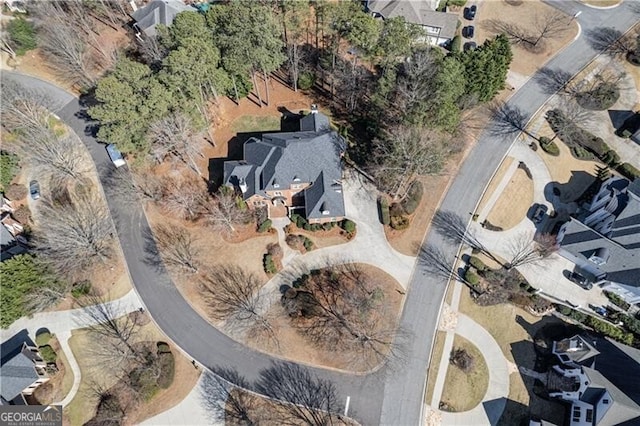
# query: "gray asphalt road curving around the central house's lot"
389 397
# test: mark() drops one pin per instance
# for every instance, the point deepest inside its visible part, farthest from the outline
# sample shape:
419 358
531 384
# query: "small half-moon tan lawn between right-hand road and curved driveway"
514 202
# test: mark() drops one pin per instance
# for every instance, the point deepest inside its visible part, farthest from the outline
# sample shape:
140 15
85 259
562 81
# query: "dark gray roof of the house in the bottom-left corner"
17 371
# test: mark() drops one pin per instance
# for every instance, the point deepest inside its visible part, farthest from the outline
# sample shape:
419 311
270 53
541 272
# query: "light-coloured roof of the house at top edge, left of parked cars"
417 12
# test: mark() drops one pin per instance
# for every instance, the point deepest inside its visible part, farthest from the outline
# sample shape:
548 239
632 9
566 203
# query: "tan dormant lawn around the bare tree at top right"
524 63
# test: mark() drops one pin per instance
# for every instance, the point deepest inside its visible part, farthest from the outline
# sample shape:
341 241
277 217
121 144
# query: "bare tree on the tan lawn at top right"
545 26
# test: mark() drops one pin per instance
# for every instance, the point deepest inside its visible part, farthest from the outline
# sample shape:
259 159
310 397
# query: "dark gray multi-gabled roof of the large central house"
278 160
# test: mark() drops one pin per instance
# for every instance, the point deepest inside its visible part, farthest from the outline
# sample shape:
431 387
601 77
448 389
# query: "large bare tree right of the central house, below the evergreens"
405 152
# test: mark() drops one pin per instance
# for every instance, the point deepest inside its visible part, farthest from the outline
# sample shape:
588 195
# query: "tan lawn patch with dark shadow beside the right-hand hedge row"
572 176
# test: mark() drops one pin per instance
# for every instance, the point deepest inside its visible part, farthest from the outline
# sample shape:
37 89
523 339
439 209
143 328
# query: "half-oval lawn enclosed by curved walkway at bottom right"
463 391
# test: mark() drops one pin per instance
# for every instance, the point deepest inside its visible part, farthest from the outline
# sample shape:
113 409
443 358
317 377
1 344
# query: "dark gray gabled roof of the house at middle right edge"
622 243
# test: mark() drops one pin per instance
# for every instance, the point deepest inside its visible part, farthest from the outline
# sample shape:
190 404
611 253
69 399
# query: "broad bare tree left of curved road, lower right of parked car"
74 236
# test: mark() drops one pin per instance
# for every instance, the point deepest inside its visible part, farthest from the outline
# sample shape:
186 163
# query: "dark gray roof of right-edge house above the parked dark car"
620 243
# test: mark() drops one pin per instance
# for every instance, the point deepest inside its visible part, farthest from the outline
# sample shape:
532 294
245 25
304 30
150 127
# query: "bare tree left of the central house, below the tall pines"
174 136
